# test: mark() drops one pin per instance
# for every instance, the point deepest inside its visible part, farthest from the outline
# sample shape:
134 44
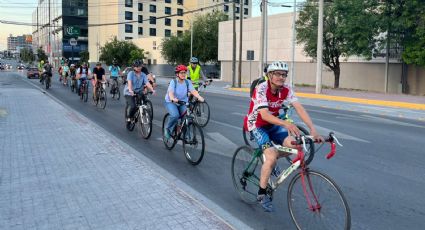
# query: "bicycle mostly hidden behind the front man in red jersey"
285 114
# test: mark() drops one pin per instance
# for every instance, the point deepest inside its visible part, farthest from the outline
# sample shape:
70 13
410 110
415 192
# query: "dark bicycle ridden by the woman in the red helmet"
189 132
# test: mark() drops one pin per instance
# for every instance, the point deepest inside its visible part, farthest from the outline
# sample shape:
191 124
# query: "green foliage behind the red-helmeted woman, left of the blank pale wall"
176 49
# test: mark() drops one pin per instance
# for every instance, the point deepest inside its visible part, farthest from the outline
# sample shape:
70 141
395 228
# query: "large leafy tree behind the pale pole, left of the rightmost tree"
350 27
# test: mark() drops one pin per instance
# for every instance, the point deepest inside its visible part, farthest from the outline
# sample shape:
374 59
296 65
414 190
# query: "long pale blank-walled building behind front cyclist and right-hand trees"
356 73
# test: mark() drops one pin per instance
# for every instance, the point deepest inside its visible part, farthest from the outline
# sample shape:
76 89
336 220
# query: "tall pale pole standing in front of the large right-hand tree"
319 49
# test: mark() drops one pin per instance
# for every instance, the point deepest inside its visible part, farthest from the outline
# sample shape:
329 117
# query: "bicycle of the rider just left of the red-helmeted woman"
142 116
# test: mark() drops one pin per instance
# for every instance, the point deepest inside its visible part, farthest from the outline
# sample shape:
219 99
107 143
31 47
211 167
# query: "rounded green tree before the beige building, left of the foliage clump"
119 50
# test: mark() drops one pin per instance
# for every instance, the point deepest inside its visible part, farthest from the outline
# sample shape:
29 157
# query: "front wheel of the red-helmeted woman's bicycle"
193 136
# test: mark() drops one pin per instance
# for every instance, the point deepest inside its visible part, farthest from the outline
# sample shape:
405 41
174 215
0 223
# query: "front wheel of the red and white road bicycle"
316 202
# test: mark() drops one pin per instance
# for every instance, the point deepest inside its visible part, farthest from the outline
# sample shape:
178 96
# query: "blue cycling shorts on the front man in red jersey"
266 134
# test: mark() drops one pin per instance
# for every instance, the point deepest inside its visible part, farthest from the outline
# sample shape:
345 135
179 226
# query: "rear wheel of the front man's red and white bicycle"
246 179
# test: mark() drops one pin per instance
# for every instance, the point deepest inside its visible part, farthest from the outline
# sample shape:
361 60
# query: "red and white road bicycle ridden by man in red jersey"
314 200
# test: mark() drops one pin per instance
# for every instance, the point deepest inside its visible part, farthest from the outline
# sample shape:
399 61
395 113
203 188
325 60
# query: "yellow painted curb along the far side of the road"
353 100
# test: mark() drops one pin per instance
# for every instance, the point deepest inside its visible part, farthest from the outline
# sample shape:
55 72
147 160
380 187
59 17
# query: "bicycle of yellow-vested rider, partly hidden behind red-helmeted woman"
200 110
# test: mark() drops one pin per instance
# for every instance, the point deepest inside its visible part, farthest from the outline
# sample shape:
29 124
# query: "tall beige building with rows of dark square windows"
146 22
